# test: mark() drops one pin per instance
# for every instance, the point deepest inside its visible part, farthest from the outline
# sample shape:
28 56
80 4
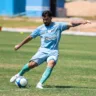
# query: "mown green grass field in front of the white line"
74 74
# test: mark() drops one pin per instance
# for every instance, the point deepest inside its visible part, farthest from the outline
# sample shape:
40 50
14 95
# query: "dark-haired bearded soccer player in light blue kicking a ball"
50 34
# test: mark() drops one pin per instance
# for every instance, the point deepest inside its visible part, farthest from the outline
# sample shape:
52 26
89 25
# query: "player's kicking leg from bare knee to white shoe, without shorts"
25 69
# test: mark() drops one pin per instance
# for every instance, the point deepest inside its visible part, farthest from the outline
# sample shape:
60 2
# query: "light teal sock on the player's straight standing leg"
46 75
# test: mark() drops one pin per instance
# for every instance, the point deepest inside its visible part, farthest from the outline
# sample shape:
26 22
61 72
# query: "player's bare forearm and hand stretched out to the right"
75 23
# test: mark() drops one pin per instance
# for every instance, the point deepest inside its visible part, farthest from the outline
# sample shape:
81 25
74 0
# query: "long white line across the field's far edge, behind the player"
65 32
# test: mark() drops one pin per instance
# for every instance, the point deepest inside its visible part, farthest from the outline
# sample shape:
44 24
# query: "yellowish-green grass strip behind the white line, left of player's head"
23 22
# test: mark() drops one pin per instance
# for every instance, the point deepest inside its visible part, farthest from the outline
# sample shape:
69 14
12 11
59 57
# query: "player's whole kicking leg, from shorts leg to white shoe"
36 60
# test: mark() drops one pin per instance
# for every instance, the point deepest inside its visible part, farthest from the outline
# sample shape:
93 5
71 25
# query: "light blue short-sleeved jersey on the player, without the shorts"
50 35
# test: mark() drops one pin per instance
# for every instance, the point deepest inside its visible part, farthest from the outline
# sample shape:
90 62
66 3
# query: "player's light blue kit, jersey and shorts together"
50 37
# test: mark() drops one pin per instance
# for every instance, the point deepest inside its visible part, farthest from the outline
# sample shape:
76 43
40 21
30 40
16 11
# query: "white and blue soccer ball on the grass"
21 82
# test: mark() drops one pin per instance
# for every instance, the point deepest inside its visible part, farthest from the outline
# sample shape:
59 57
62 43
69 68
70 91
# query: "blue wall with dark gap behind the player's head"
31 8
